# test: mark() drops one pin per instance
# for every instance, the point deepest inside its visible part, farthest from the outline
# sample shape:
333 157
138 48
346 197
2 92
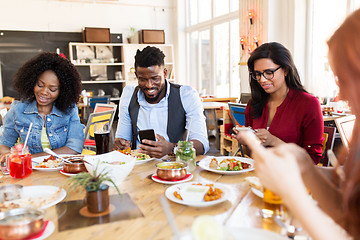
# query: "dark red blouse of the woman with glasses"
297 120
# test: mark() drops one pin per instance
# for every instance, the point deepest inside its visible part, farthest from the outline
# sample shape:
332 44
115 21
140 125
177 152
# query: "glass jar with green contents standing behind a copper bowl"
185 152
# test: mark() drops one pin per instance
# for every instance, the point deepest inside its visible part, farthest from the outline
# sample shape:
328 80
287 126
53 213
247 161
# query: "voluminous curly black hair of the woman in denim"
69 78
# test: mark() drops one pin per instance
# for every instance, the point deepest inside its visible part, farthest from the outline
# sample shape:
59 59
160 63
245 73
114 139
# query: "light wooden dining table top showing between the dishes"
240 210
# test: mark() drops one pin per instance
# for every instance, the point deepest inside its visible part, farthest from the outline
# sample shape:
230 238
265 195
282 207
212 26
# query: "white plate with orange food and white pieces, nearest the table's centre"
189 194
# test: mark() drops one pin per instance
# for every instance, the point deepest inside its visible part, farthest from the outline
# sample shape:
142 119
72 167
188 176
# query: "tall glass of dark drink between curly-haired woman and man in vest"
102 136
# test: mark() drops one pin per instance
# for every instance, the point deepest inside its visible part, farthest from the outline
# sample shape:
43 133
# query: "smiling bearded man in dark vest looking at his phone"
168 108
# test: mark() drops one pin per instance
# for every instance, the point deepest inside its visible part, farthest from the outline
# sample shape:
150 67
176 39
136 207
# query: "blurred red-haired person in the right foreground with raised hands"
288 170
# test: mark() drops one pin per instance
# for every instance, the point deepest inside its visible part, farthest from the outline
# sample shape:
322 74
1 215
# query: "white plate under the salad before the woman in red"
204 164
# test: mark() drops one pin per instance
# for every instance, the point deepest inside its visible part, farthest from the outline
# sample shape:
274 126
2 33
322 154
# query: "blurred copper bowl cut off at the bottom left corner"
20 223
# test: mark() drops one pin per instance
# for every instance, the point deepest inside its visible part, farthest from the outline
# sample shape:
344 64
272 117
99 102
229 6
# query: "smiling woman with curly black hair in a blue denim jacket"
49 87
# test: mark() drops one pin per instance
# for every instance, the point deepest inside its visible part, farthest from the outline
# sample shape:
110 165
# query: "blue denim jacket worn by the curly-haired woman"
62 129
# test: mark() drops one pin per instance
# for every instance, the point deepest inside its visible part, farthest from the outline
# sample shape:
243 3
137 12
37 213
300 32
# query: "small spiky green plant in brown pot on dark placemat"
97 192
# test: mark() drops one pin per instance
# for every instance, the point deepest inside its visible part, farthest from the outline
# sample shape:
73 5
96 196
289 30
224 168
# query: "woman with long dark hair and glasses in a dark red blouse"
280 109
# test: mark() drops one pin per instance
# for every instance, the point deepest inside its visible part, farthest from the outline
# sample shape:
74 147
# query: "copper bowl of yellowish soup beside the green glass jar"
171 170
